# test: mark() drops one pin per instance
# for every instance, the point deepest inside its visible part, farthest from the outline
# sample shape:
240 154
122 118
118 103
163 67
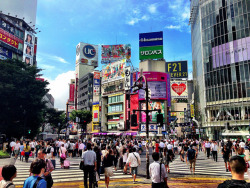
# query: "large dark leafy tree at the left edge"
21 99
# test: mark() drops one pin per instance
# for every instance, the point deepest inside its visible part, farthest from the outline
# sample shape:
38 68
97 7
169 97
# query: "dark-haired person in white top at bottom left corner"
8 173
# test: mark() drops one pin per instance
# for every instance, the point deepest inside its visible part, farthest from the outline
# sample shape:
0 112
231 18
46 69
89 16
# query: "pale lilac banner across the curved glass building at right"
231 52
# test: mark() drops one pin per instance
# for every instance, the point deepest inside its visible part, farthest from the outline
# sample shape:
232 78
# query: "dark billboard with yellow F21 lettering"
177 69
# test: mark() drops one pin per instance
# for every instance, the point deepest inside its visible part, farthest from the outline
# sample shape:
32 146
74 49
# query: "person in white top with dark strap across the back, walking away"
134 160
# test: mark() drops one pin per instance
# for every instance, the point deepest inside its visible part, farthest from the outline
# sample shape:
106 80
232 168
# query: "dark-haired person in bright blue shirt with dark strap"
37 168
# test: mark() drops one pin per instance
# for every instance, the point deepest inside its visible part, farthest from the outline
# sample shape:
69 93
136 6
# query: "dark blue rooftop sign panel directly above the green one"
151 39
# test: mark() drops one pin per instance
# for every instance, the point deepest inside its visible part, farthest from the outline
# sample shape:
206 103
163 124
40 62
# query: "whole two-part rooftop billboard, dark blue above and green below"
151 45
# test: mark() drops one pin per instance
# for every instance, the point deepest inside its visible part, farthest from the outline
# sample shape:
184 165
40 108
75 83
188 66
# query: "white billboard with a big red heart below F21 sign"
179 89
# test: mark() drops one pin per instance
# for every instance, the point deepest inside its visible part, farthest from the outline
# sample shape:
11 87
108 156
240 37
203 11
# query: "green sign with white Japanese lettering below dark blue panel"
153 52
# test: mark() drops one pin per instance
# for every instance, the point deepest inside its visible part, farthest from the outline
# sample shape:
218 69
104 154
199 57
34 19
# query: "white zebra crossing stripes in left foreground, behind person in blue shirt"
61 175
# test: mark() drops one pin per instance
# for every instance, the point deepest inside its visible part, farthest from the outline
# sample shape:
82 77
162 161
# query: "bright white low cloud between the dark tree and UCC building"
59 88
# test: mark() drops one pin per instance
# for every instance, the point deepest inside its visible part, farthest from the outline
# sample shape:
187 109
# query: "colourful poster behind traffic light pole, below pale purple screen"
153 105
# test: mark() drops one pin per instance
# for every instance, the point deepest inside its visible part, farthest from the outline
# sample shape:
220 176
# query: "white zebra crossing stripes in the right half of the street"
203 166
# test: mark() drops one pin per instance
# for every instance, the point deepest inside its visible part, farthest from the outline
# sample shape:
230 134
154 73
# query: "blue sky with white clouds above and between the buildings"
65 23
